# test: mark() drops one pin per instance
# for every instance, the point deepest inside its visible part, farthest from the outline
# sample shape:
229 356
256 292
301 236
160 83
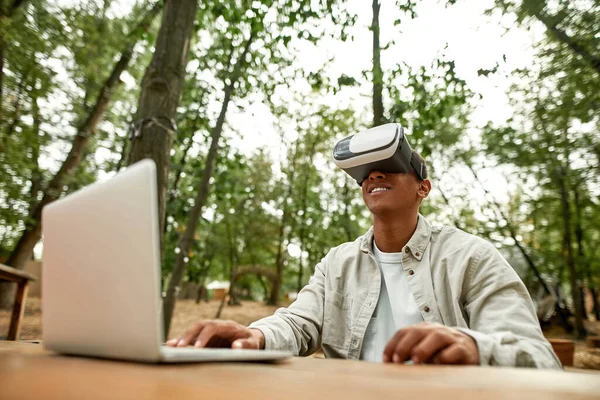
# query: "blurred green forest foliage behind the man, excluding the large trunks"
286 203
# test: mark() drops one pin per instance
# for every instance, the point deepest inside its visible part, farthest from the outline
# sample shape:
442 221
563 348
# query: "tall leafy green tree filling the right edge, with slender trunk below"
549 138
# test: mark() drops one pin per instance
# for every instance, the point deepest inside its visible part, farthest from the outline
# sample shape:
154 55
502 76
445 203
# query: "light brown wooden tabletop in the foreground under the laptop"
29 372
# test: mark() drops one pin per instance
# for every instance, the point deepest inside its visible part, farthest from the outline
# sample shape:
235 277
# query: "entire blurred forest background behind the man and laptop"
239 102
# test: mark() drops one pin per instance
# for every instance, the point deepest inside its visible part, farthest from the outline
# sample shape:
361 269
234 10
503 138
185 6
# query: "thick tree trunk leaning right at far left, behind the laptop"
33 229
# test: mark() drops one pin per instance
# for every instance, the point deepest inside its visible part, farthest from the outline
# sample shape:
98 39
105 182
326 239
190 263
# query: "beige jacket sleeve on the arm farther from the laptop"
501 315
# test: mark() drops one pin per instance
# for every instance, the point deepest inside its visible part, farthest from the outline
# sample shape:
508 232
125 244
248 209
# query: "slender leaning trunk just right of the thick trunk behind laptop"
192 222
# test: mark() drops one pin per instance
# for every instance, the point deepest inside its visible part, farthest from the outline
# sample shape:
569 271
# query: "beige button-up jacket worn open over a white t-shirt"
457 279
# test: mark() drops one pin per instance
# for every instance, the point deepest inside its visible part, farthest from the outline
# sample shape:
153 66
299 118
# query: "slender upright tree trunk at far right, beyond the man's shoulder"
568 251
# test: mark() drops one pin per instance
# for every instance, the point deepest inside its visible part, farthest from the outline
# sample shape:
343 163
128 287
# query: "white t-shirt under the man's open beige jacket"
396 307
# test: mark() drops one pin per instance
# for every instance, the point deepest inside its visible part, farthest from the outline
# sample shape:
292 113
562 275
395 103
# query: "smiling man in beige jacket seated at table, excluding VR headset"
404 291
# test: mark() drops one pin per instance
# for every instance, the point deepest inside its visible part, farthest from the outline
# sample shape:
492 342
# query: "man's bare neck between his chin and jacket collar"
392 234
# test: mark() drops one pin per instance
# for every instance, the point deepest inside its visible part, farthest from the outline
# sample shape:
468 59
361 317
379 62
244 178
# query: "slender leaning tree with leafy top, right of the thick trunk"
245 26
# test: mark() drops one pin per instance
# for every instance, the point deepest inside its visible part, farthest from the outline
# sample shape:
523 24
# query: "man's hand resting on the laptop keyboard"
215 333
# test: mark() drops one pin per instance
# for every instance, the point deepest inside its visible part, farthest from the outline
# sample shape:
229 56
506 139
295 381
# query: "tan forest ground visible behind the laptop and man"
187 312
